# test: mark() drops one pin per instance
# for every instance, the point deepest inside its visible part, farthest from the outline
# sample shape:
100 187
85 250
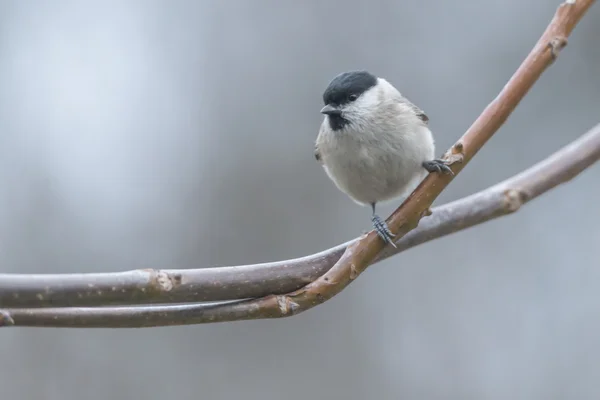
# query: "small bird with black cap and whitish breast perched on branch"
374 144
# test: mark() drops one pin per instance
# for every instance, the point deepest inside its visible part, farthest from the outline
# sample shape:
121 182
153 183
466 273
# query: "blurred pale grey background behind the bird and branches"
179 134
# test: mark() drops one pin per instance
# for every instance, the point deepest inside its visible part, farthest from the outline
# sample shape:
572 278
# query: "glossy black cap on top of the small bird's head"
346 84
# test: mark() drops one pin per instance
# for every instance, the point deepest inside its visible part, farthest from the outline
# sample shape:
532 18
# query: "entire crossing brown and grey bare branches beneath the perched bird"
245 281
